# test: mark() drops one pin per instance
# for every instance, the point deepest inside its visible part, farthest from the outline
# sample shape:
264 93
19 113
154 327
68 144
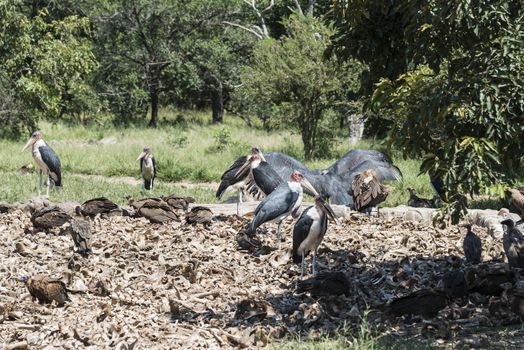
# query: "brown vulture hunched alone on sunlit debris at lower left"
46 289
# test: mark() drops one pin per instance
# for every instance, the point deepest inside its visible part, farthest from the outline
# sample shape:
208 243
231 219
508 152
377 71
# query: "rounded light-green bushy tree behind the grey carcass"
291 80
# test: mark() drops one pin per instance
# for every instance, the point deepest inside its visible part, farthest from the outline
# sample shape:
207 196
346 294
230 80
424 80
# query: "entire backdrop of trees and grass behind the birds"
440 82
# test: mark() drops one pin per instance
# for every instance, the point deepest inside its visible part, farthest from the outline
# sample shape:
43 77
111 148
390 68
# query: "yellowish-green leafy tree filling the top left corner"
46 66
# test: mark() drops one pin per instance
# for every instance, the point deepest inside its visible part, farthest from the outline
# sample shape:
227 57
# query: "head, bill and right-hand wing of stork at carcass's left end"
265 178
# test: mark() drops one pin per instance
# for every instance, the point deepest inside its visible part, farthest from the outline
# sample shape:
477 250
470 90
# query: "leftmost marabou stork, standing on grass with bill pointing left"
47 161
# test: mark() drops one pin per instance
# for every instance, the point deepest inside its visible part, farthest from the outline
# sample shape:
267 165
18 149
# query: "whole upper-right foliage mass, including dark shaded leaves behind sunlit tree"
453 90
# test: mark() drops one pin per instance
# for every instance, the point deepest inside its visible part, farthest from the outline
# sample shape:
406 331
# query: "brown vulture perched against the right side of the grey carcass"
367 190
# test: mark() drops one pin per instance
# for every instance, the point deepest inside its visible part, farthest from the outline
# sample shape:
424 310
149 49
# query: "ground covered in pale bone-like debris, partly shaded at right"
171 286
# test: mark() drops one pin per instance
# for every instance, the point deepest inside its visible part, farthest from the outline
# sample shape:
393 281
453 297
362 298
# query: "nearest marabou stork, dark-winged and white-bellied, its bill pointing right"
310 230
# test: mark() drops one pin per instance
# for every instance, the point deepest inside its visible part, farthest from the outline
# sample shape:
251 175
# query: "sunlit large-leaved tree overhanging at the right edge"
464 110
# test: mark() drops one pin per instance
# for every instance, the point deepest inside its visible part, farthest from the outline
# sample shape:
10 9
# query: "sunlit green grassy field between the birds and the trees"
187 148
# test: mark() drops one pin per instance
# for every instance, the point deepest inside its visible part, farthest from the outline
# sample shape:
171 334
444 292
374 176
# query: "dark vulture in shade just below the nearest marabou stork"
326 284
